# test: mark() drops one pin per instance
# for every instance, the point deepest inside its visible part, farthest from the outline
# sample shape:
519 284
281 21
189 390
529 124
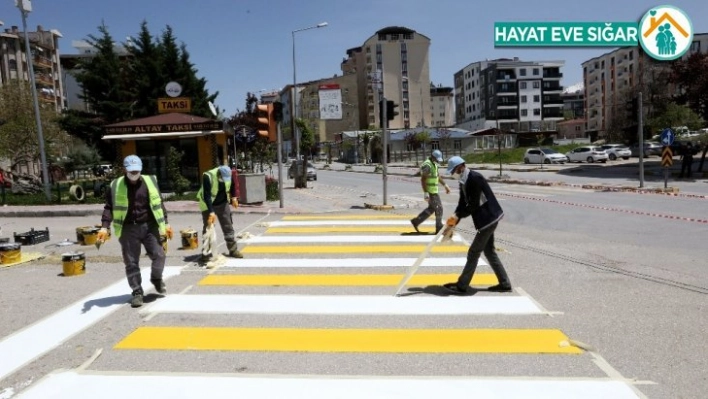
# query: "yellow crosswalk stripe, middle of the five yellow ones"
350 249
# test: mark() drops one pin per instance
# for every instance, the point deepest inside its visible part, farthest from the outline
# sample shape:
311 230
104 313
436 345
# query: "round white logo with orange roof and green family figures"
666 33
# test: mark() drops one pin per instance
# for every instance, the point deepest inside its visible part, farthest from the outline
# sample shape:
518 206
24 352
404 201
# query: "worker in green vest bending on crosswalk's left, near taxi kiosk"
219 190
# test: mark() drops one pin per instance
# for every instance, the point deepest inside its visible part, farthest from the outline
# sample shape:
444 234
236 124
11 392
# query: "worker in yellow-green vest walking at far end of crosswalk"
429 179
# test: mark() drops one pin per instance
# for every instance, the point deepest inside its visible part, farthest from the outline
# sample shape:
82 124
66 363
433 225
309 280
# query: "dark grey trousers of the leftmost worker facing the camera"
131 239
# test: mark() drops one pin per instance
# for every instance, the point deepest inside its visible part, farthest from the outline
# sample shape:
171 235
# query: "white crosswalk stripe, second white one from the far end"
339 239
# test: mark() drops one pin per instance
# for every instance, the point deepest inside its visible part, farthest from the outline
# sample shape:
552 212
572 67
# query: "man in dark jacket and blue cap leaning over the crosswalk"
477 200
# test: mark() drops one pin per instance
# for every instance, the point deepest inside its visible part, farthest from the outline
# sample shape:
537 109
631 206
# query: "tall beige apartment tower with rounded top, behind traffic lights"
402 57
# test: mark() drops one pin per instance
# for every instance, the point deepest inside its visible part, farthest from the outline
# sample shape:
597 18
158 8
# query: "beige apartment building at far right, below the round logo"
609 77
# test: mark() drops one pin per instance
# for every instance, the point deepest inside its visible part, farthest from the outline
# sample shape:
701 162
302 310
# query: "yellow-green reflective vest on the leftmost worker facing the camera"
119 189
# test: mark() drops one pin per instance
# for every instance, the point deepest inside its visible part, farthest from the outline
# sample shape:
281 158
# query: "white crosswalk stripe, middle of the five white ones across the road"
346 262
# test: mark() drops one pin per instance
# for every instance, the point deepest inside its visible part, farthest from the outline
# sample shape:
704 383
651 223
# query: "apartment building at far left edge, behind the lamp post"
44 48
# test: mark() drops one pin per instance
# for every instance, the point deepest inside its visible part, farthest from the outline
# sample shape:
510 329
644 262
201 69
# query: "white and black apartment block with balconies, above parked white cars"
510 94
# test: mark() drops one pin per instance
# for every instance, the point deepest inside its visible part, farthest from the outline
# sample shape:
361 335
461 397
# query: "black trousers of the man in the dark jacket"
483 242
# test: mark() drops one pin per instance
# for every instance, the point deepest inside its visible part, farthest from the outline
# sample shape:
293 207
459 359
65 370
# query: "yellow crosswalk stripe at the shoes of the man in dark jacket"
339 279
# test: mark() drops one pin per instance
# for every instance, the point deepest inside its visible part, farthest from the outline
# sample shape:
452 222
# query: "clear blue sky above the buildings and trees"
246 45
